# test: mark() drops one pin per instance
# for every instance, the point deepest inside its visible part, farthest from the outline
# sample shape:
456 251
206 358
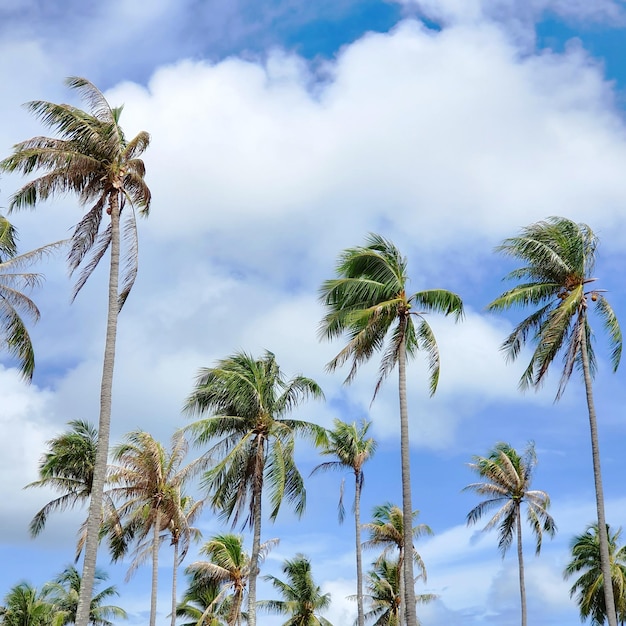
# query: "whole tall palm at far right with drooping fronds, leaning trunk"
558 257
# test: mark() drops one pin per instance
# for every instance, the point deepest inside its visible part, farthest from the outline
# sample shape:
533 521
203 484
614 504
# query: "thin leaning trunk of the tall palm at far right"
605 563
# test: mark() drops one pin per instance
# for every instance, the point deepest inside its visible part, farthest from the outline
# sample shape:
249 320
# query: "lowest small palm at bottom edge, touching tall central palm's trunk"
383 592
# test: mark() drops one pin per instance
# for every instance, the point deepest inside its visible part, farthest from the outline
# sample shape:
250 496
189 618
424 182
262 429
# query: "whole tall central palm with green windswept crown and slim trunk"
369 302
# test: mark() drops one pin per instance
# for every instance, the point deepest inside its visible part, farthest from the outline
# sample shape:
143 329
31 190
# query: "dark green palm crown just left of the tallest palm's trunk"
66 468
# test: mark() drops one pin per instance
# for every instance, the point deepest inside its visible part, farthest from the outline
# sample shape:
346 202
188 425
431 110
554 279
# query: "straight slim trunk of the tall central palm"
407 506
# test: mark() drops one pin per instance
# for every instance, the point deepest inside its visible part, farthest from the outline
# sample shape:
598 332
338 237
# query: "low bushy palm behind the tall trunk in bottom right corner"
589 586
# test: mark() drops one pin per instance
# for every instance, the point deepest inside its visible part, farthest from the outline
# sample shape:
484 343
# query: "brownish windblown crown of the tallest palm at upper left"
92 158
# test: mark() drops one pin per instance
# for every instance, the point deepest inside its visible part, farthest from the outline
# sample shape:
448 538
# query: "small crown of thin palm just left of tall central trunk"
349 444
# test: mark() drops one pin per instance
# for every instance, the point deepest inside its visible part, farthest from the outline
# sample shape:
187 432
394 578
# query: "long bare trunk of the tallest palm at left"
94 520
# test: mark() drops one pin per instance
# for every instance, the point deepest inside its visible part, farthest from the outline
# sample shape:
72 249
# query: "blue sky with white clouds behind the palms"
282 133
